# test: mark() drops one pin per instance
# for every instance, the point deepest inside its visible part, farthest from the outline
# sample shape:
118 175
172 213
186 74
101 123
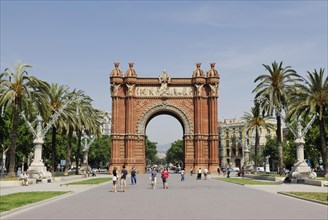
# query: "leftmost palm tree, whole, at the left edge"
17 91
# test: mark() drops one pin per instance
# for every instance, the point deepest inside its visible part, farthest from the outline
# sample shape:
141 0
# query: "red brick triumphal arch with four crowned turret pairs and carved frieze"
192 101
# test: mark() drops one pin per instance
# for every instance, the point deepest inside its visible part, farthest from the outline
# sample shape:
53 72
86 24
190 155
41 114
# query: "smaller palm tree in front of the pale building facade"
255 121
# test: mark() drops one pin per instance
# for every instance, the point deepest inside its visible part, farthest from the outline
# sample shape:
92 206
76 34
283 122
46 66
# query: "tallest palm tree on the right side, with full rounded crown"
274 87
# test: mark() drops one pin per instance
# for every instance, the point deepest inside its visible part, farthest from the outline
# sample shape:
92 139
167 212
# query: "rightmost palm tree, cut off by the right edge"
310 97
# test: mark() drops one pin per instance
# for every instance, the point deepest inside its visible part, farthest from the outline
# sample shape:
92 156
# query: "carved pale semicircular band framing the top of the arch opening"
164 107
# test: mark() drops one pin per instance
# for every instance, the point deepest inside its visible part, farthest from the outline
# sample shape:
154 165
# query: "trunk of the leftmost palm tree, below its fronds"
12 155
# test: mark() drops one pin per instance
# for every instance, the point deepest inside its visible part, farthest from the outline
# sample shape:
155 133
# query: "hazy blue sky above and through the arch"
76 42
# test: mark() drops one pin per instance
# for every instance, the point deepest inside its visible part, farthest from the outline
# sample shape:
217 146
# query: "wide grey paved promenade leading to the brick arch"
192 199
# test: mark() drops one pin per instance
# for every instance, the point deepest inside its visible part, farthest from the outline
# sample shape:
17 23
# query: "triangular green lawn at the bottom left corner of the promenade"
15 200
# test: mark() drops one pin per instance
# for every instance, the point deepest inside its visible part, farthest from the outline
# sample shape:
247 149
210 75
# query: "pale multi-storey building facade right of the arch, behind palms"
232 139
